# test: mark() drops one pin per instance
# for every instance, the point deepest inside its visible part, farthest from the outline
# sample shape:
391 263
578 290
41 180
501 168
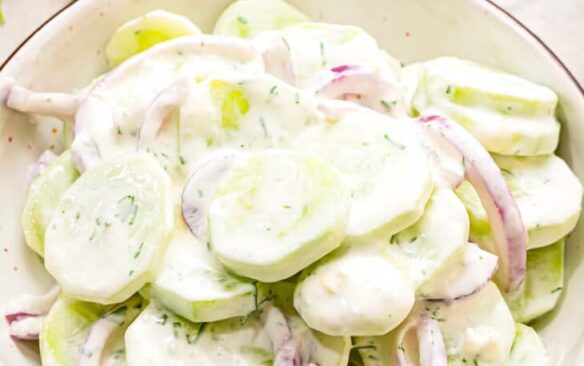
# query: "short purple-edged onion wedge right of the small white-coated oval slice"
472 270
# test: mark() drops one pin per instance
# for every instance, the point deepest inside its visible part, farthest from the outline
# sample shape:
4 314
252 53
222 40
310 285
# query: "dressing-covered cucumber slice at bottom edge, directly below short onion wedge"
477 330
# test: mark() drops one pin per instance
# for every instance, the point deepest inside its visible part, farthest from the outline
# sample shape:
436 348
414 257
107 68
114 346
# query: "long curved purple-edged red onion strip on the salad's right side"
504 216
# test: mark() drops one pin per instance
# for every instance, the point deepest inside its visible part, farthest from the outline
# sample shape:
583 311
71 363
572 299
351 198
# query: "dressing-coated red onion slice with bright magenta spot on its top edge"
363 86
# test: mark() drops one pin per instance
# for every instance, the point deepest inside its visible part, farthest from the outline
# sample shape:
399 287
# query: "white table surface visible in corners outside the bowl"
560 23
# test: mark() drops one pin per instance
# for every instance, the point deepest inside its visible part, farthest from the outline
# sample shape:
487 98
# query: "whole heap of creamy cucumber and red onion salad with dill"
284 192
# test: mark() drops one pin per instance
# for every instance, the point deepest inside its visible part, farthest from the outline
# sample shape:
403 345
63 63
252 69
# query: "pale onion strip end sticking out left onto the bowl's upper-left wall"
47 104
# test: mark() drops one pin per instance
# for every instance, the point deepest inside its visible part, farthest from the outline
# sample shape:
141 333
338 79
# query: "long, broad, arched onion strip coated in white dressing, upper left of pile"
110 117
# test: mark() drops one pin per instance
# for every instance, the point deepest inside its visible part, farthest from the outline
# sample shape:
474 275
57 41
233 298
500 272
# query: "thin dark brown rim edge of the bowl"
494 6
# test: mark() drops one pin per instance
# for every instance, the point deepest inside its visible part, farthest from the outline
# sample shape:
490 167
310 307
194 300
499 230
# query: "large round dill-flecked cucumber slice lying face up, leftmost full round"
110 229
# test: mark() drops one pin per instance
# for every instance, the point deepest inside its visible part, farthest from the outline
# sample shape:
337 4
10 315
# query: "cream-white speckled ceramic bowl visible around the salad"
68 52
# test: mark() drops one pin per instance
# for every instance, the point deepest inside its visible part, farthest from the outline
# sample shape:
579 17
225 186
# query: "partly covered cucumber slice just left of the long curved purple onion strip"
428 244
